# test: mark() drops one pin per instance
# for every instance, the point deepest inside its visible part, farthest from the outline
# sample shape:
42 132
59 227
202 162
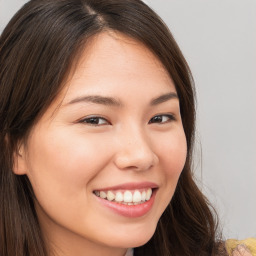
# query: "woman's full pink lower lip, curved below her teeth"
131 211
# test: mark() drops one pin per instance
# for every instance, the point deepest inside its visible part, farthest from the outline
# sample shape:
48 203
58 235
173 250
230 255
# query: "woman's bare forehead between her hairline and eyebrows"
112 61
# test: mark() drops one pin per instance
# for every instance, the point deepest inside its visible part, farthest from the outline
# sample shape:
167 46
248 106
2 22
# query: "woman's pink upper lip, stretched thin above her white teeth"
130 186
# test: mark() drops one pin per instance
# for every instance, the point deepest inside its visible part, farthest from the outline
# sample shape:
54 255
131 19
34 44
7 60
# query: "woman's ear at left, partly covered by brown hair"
19 161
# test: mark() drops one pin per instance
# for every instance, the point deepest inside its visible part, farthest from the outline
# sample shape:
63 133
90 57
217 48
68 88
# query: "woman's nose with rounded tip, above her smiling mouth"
135 152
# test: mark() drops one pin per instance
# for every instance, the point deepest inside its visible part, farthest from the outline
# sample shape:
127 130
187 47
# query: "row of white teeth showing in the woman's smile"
126 197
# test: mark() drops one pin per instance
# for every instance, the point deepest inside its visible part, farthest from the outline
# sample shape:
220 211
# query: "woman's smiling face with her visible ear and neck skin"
112 137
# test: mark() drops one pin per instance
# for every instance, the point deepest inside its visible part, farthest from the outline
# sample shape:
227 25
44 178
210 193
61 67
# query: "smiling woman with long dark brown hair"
96 132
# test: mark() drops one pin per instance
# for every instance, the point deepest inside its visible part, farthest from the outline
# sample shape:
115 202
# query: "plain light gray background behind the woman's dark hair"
218 39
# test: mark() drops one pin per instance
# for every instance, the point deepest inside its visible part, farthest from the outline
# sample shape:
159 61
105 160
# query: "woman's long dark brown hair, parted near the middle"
37 50
